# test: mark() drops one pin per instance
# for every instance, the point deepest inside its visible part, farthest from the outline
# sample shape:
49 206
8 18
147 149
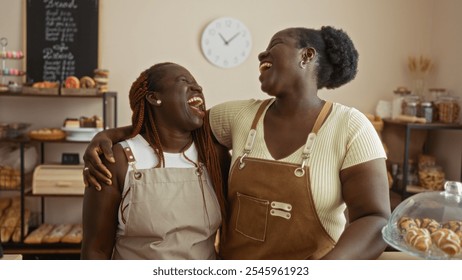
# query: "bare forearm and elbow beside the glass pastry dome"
366 194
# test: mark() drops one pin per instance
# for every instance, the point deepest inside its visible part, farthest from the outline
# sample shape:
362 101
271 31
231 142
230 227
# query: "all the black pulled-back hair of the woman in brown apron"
337 56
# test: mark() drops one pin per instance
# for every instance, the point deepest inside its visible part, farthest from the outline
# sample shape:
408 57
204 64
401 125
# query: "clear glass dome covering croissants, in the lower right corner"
428 224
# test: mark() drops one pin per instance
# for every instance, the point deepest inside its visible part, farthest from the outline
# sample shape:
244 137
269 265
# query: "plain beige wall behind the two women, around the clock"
138 33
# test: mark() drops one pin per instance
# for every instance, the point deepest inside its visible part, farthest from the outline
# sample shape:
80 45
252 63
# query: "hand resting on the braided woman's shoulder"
101 144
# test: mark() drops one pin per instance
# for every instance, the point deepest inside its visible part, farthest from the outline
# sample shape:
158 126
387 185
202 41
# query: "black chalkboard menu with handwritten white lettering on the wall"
62 39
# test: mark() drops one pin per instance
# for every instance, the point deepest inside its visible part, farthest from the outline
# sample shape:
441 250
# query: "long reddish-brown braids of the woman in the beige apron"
143 122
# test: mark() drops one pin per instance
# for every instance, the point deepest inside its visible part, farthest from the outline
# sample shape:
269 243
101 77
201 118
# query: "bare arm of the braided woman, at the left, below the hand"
100 212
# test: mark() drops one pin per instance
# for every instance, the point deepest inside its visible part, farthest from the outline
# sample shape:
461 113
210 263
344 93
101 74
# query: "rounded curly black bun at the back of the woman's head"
342 55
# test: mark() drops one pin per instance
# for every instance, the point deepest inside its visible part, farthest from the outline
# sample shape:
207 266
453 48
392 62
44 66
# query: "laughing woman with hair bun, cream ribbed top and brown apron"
298 162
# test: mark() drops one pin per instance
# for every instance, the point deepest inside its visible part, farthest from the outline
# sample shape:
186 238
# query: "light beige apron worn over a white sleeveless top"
173 214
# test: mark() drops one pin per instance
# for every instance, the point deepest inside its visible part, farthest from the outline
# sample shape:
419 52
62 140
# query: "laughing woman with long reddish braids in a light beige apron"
161 204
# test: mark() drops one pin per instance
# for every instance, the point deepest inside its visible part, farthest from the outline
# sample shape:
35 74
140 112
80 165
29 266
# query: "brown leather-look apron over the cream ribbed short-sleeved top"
272 213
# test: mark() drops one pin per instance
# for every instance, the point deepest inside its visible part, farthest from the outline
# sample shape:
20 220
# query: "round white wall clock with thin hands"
226 42
